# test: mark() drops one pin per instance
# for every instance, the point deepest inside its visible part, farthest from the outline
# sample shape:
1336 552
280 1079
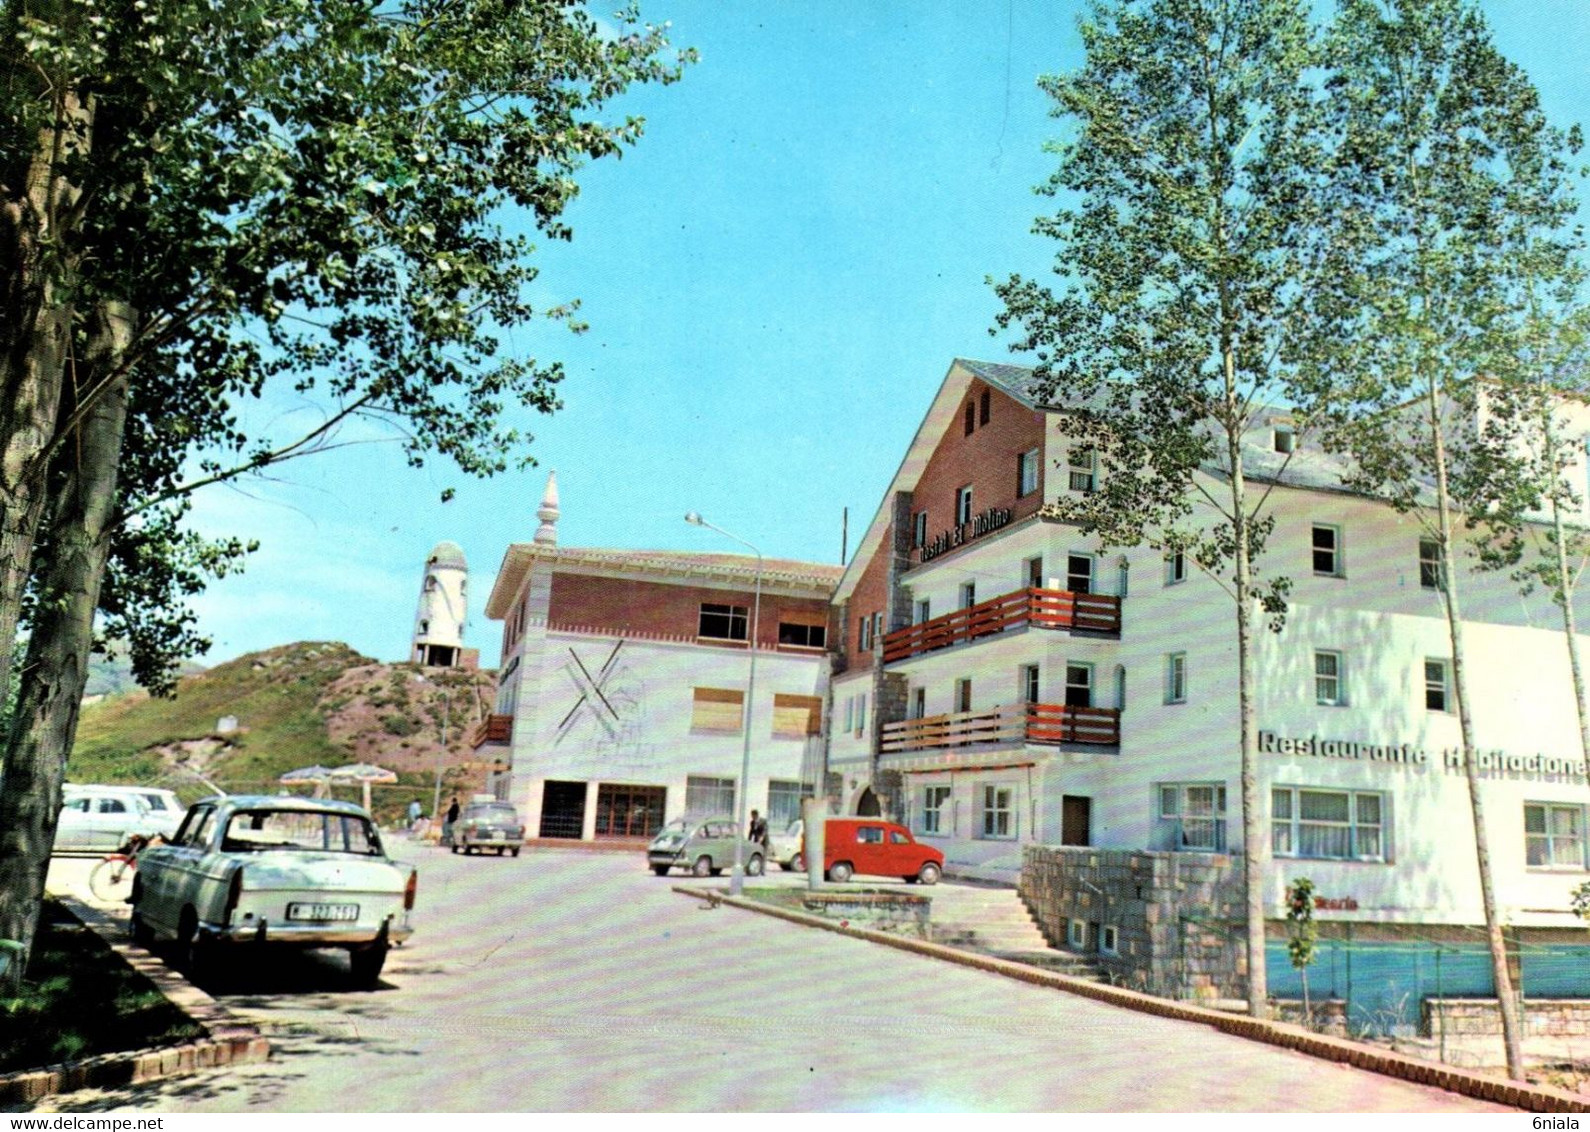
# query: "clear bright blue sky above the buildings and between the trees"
777 279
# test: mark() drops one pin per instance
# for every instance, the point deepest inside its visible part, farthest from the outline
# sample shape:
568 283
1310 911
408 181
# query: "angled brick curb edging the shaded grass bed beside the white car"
227 1042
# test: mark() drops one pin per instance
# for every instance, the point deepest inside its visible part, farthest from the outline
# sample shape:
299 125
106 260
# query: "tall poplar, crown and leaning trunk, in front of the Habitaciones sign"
1445 163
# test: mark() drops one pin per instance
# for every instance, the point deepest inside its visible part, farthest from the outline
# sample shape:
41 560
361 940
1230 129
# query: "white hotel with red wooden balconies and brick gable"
1001 683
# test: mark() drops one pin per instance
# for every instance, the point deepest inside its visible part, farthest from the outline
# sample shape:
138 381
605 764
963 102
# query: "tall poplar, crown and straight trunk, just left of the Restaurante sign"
1185 185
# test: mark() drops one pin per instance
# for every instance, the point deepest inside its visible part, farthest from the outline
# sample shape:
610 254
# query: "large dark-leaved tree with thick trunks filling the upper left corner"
206 204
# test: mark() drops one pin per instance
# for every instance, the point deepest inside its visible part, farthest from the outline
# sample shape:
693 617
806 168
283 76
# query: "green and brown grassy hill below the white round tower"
295 707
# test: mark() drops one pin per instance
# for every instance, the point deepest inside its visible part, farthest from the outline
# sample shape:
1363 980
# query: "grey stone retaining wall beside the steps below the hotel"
1177 917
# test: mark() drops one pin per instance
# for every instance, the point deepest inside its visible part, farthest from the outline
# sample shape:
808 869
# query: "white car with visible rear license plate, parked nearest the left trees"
273 870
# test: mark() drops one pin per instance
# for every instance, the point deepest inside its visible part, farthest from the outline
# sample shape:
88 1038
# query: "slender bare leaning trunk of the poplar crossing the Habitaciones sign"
1499 947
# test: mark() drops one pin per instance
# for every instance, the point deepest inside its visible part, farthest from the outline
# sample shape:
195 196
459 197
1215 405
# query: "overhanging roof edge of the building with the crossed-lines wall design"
788 576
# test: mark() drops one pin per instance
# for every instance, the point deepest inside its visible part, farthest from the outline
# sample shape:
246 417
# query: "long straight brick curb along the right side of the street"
1518 1095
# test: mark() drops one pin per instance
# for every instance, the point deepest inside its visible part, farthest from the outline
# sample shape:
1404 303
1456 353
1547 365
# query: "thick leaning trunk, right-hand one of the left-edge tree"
63 634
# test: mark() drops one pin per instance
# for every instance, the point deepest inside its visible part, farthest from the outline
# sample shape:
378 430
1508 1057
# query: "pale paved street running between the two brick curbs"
580 982
